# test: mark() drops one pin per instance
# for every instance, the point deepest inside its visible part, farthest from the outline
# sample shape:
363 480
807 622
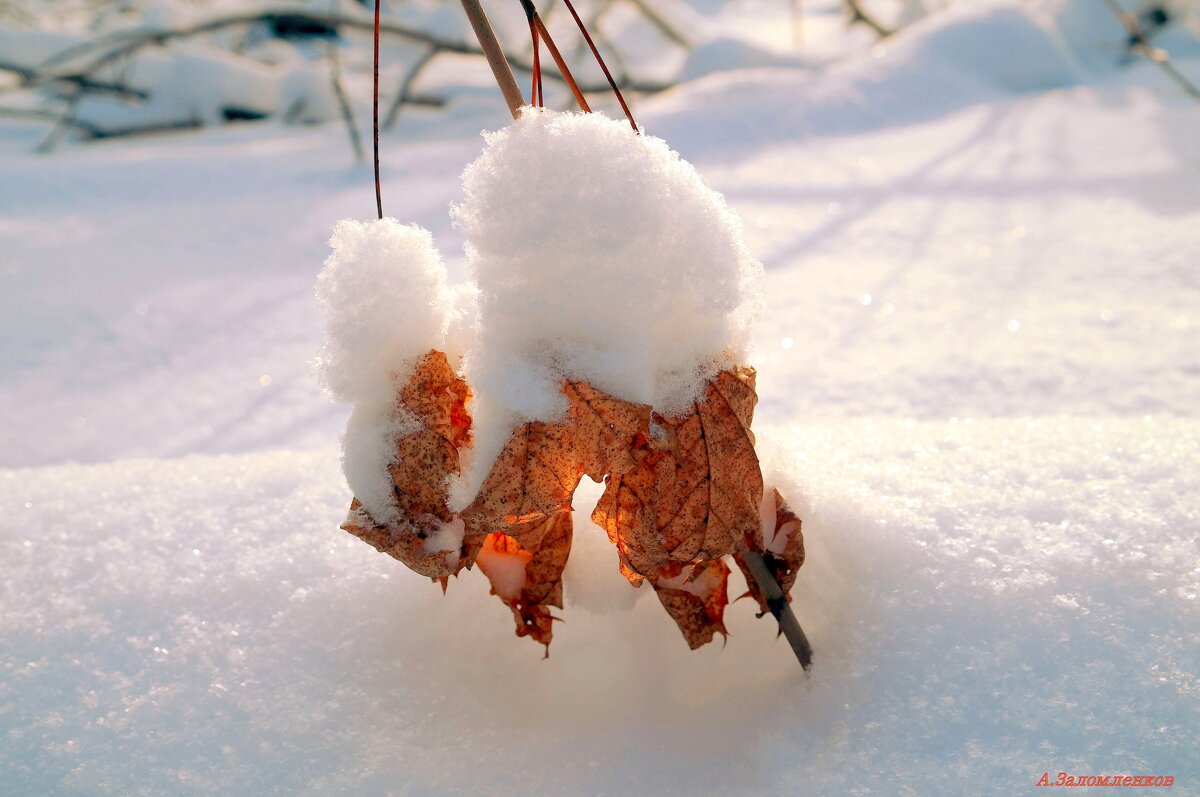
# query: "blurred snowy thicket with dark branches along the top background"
98 70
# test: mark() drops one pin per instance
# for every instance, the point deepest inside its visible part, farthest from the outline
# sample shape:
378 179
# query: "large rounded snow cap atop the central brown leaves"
599 255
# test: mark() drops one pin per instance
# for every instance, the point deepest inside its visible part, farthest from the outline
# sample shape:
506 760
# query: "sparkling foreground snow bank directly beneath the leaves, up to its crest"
988 602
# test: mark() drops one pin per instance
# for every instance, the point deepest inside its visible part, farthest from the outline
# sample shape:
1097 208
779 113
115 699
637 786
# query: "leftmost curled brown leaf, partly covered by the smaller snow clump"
437 398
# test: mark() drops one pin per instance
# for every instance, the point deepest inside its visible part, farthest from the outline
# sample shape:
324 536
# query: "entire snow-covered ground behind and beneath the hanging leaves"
980 380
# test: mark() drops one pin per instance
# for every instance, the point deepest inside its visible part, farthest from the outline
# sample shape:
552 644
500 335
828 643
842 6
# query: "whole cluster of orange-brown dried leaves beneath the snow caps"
676 501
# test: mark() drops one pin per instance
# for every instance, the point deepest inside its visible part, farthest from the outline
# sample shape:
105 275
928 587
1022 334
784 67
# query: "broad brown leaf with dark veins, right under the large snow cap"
695 493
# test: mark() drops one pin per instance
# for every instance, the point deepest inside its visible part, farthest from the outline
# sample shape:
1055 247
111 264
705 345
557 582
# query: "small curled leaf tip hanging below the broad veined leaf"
695 596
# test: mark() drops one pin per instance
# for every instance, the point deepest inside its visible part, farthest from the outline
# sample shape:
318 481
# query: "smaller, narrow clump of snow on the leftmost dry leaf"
387 302
